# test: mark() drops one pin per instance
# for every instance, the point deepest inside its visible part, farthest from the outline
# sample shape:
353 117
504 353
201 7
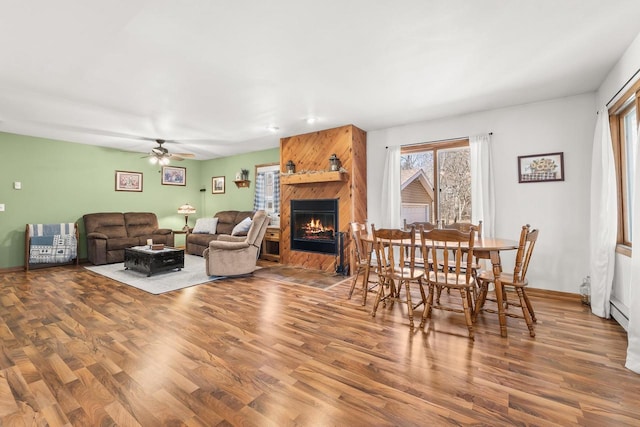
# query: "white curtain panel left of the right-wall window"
604 217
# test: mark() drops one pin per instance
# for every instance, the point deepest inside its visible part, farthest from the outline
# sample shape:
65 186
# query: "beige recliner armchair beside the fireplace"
236 255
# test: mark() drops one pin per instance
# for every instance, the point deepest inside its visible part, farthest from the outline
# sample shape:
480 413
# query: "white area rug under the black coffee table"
192 274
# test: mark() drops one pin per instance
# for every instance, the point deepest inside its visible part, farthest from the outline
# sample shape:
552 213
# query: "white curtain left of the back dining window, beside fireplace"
391 198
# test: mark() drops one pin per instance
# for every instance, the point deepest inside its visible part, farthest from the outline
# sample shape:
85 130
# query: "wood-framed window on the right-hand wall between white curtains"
623 118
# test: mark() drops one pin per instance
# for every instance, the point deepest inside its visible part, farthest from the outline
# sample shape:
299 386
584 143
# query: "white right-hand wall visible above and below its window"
626 67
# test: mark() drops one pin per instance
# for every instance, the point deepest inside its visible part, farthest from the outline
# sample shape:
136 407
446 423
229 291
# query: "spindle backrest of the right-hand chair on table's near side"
449 247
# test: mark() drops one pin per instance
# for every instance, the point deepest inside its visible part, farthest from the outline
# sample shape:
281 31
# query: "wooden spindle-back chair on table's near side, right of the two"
453 248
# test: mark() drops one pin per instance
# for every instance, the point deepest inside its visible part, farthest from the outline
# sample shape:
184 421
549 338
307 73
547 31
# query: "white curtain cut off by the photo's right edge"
633 330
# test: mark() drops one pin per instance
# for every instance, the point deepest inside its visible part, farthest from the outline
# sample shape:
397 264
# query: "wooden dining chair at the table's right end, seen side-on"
516 280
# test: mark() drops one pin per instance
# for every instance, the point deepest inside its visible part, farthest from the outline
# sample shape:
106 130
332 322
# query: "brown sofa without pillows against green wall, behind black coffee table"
109 233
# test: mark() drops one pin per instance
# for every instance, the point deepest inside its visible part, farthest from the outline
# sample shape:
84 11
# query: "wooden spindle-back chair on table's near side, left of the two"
395 255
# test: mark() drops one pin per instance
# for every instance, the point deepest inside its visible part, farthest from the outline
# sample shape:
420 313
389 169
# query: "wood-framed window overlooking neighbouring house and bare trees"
436 182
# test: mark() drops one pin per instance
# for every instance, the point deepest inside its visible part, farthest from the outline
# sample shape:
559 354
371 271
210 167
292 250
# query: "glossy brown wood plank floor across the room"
79 349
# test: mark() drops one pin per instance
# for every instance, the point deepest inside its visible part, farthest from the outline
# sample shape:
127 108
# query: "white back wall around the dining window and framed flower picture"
559 209
